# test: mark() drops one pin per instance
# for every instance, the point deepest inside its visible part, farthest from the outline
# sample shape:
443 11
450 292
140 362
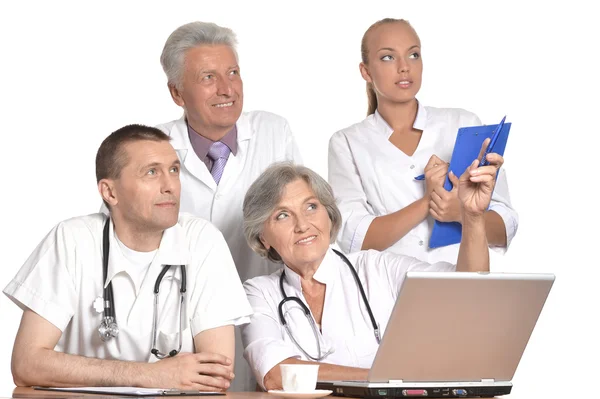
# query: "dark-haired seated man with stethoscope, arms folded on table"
61 287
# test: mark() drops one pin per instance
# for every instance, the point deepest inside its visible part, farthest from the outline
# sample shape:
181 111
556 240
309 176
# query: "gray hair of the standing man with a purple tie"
187 37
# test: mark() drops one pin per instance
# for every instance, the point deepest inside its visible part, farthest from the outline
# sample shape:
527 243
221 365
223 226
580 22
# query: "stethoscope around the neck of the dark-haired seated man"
108 327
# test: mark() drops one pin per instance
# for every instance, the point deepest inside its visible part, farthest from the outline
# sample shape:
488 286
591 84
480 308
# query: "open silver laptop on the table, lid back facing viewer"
453 335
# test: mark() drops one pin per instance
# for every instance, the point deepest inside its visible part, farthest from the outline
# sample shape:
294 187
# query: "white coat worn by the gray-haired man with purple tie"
263 138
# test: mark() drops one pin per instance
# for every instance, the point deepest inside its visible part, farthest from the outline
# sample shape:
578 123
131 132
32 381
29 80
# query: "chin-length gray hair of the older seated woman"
265 193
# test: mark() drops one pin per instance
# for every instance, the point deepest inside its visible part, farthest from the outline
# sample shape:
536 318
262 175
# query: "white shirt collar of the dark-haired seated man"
171 251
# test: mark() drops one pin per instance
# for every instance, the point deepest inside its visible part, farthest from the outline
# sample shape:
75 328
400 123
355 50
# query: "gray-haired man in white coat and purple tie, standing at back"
222 150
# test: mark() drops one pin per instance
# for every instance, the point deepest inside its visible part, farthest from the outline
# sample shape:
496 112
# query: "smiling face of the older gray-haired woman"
298 228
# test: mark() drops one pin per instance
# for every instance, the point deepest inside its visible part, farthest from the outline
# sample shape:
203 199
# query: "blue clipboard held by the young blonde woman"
466 149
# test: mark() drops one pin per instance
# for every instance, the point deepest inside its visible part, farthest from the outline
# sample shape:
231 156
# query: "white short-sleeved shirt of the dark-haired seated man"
63 277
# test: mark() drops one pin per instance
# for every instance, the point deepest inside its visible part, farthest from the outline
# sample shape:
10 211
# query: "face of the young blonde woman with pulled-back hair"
394 64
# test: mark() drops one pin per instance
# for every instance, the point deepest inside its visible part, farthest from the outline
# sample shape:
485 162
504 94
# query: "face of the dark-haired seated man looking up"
146 194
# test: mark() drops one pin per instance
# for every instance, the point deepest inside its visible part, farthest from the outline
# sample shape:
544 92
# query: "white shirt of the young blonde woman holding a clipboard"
371 177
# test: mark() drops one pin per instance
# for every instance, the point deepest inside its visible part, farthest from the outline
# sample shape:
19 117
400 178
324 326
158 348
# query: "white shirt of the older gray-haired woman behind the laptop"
345 325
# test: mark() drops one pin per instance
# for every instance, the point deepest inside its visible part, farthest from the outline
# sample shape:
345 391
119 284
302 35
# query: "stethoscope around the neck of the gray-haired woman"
308 315
